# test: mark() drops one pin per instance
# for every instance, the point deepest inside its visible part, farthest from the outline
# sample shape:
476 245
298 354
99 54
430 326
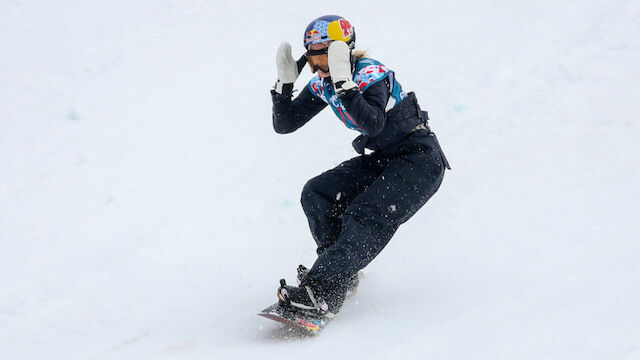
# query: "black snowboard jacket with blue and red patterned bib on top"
380 110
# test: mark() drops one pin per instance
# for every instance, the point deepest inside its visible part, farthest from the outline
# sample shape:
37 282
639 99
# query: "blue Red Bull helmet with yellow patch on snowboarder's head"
327 28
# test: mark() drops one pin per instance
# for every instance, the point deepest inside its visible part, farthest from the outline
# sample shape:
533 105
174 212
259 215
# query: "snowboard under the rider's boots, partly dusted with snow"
308 321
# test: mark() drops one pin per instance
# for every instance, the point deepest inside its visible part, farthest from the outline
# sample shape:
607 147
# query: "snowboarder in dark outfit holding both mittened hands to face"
354 209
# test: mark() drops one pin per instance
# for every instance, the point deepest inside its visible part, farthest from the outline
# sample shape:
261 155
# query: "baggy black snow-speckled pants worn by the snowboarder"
355 208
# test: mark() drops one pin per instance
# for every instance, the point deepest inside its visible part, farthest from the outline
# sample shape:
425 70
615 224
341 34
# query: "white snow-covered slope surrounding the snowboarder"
148 209
